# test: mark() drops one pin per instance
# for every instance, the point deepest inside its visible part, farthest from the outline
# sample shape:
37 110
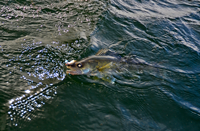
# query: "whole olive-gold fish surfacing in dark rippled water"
104 61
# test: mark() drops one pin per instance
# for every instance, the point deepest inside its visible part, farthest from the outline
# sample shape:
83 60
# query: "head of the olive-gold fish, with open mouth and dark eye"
78 67
